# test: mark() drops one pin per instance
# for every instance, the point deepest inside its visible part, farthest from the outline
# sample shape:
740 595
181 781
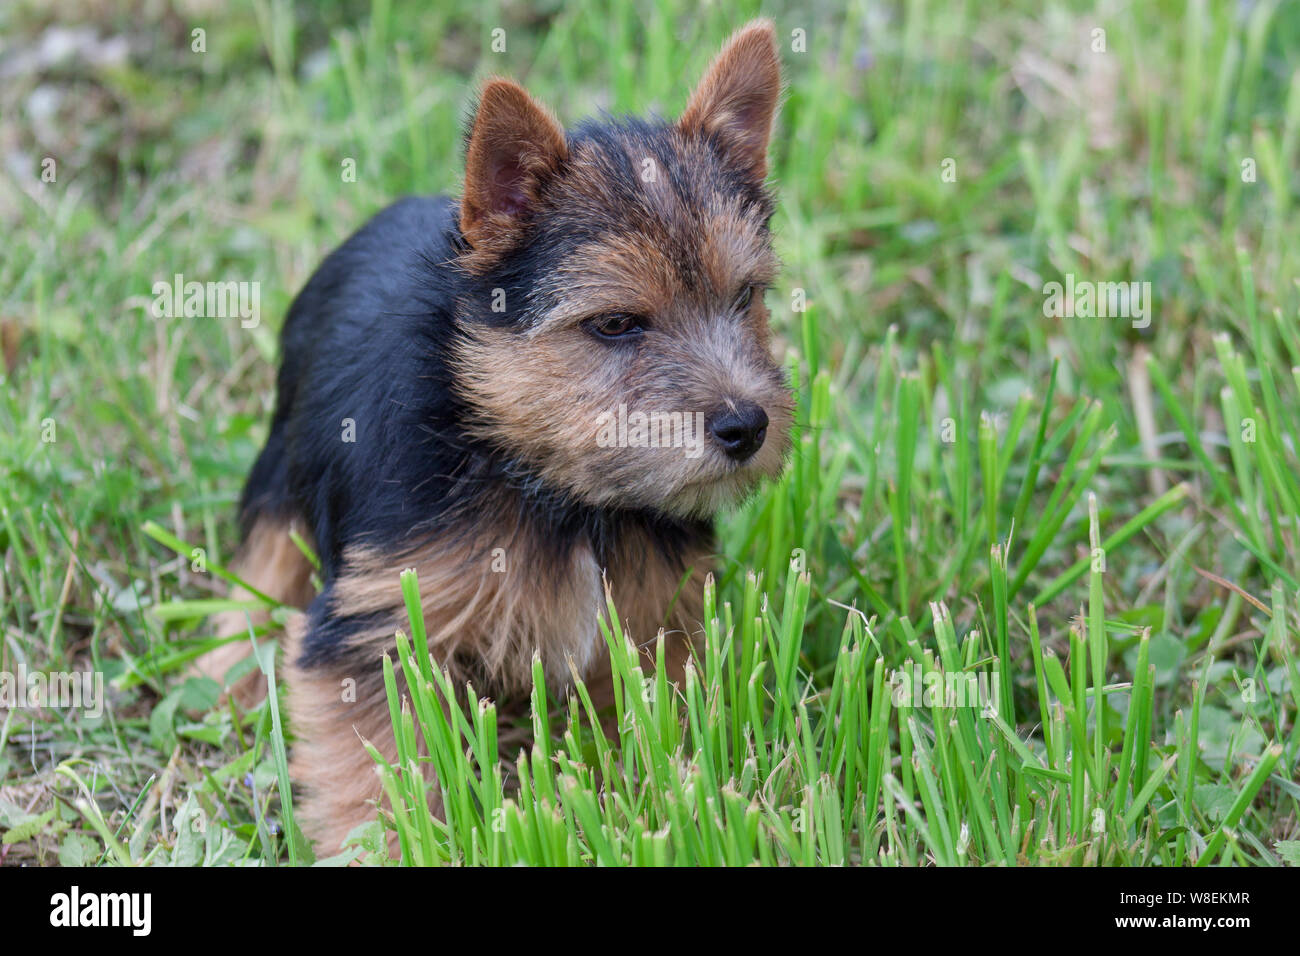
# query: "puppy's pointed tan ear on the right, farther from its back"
736 101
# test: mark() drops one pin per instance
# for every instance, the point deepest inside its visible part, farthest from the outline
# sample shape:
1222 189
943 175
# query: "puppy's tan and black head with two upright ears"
617 341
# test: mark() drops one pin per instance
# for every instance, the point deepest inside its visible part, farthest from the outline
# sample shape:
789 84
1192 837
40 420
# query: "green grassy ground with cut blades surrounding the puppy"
1102 518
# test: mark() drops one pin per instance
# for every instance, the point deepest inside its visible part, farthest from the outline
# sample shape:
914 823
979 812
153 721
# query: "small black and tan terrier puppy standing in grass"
549 386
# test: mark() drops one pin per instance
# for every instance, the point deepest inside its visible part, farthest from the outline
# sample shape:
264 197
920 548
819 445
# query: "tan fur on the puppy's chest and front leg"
484 625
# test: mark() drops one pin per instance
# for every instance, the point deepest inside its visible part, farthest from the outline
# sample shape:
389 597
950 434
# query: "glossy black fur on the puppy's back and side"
374 304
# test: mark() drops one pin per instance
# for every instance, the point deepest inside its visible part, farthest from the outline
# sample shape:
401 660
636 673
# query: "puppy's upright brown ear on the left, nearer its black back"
514 145
